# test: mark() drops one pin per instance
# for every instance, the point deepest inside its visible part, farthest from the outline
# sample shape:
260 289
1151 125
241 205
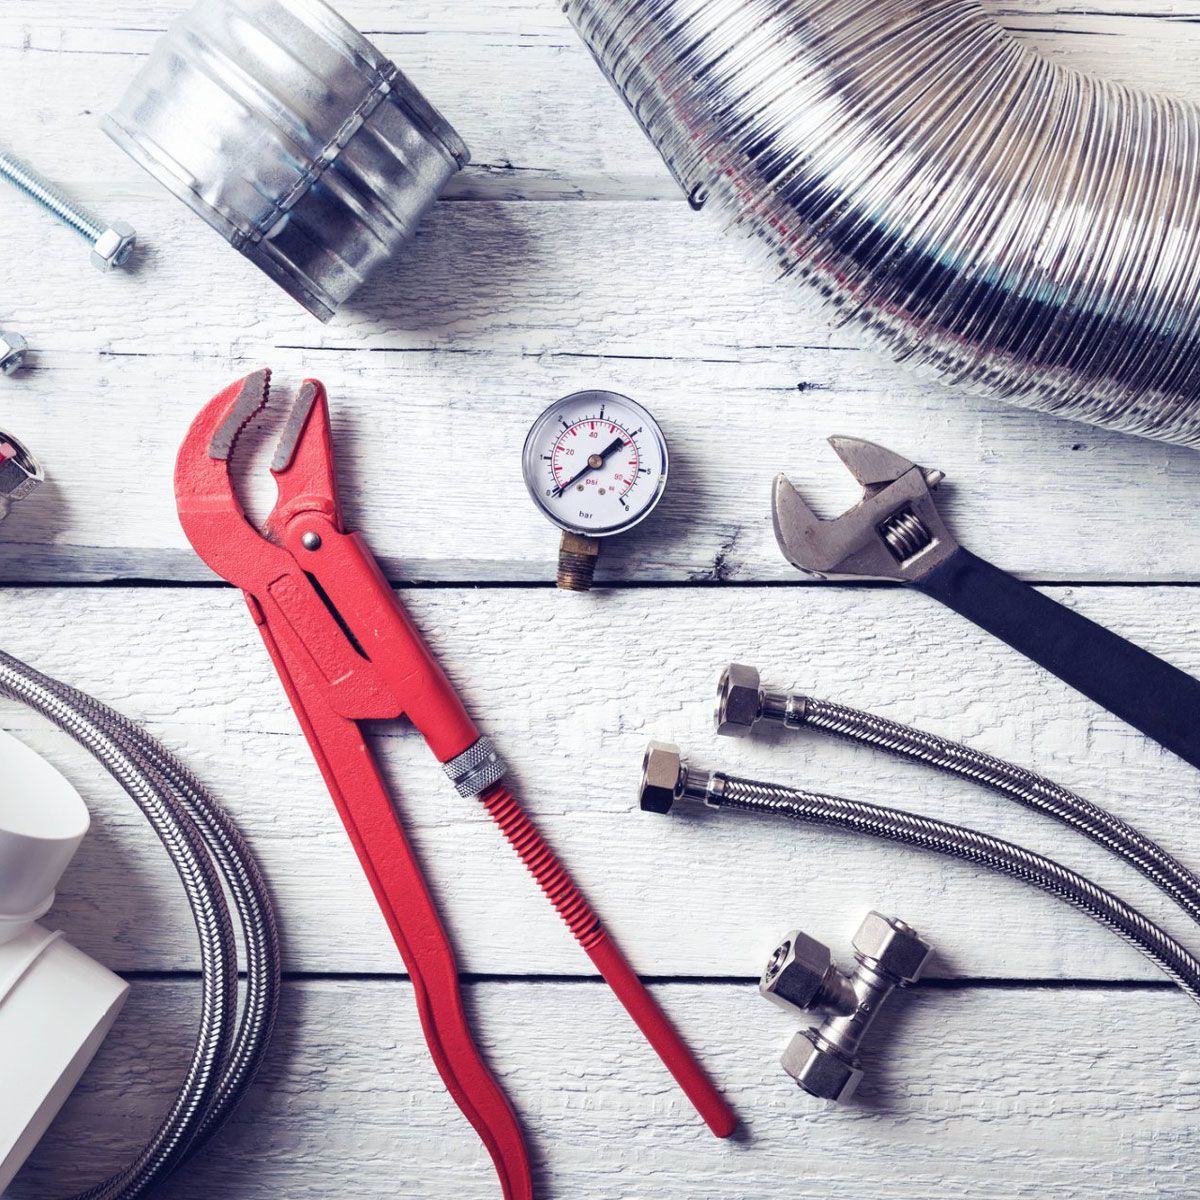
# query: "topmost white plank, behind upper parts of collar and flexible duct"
512 75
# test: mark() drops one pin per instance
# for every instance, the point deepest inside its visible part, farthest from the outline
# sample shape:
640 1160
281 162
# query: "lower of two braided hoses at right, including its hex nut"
668 779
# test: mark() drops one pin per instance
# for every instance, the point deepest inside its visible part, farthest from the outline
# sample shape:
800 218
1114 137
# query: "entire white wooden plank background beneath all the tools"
566 259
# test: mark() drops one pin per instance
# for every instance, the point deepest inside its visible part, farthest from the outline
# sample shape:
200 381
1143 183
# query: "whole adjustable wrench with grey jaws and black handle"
897 533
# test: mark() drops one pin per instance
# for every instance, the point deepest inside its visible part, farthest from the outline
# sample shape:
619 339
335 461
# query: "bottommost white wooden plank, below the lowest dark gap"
985 1094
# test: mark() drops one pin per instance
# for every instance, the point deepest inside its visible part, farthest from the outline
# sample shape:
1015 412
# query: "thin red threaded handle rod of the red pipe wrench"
554 879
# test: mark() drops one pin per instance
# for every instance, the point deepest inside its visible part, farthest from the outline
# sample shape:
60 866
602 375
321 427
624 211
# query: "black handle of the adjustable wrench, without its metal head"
1151 695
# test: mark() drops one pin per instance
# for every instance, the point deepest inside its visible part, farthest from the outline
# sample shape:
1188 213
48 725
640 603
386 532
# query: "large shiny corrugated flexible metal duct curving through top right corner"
1019 227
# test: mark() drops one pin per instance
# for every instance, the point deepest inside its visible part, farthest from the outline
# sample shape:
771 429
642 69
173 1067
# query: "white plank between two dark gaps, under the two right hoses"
572 689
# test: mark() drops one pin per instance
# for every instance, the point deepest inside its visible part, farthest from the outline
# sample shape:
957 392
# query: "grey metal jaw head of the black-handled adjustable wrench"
895 533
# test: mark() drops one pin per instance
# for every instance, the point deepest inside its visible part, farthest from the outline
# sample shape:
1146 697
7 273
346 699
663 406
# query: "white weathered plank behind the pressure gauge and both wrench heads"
500 310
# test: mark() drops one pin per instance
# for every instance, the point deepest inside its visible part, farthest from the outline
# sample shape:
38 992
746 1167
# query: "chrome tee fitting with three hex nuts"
802 977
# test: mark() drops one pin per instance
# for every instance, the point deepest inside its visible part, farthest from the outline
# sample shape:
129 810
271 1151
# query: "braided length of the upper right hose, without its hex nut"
1035 791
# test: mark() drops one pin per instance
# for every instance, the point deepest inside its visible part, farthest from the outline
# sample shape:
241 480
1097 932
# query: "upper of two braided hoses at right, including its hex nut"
742 704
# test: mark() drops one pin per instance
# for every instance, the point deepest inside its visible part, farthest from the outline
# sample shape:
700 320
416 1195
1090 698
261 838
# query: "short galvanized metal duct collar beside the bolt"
292 136
